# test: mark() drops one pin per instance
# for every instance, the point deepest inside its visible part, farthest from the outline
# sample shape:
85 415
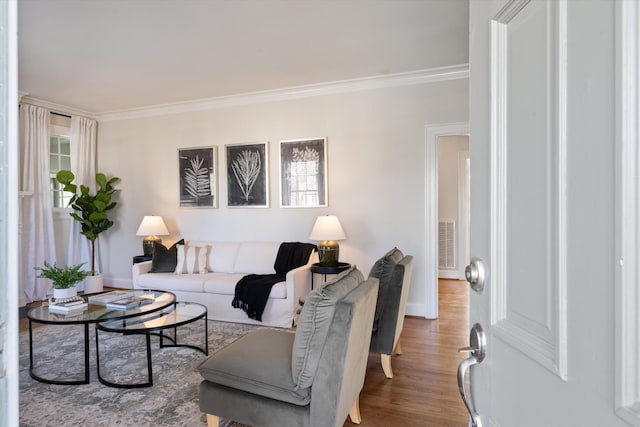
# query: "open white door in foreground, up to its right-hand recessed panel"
543 211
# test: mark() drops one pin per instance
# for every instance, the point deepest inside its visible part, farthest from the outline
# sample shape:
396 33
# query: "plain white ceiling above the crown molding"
112 55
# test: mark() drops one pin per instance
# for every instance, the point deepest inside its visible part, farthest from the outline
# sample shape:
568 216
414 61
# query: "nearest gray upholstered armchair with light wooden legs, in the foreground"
310 378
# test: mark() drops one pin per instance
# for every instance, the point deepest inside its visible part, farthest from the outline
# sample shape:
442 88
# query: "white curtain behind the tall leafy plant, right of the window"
83 165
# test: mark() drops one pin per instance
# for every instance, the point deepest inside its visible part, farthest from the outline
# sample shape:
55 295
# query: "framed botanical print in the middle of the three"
247 175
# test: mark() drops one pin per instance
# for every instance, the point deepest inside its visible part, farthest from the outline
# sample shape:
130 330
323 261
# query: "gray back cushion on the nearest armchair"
314 322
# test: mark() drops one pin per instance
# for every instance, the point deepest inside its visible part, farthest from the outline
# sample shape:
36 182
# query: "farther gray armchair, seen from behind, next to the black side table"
394 272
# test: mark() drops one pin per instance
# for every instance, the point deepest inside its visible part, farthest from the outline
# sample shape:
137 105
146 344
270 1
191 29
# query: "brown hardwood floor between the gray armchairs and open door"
424 388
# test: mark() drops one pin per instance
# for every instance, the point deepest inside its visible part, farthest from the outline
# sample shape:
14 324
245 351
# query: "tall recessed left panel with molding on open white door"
528 146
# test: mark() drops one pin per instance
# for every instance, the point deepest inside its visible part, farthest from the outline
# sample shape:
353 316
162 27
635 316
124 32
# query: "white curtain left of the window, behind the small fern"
37 238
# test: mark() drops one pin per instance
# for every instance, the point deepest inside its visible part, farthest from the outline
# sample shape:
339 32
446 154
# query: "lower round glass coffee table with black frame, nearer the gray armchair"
155 323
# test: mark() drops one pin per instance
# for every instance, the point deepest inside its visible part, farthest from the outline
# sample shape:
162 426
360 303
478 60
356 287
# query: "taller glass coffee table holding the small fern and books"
94 314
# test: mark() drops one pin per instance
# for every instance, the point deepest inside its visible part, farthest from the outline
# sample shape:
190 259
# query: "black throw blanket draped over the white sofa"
252 291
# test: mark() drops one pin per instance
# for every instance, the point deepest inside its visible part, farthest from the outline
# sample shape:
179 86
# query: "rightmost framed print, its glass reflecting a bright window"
303 173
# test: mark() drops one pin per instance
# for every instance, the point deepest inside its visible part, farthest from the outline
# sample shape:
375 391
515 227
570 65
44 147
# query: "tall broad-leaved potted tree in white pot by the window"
92 212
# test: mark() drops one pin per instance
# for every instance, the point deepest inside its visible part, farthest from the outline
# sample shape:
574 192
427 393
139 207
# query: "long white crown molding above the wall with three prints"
419 77
